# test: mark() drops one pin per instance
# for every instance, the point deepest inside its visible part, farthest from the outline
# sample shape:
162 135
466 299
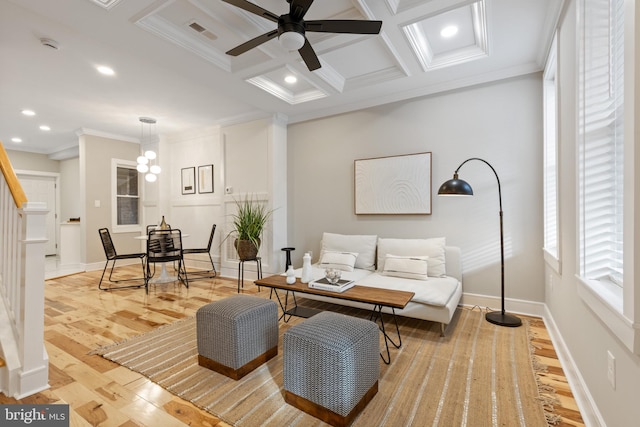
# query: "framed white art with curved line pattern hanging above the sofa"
393 185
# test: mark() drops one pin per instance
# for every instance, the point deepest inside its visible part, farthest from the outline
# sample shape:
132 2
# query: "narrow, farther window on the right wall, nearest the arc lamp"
550 172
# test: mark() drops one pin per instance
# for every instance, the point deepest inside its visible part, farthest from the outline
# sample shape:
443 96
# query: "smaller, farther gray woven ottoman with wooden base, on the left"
237 334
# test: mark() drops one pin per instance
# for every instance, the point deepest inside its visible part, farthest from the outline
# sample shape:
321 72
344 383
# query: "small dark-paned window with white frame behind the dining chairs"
126 206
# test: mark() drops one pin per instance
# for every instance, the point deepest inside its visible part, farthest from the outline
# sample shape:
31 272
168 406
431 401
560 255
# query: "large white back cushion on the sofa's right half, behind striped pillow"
432 248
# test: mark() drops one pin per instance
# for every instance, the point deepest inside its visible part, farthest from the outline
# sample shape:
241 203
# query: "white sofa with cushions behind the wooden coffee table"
437 293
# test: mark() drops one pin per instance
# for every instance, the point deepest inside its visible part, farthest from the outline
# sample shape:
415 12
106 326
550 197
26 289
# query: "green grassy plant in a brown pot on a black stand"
248 223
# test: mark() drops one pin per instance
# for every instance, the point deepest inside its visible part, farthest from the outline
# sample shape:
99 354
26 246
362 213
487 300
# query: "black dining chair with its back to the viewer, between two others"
164 246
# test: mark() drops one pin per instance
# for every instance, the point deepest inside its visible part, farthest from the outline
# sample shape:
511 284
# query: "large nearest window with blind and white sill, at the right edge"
601 204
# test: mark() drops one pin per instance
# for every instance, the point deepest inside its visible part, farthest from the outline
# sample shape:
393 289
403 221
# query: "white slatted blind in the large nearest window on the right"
601 147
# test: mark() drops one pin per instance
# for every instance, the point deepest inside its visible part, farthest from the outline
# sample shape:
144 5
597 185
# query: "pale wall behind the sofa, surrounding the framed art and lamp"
499 122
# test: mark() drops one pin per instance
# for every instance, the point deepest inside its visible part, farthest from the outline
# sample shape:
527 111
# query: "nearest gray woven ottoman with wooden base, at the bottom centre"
331 366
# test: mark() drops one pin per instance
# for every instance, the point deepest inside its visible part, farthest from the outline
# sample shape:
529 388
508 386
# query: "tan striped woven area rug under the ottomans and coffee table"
479 374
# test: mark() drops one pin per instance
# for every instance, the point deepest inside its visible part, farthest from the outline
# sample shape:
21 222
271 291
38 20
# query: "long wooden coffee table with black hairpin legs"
377 297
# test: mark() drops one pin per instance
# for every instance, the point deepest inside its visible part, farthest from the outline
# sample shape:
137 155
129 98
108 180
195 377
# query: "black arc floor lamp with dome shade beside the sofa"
459 187
